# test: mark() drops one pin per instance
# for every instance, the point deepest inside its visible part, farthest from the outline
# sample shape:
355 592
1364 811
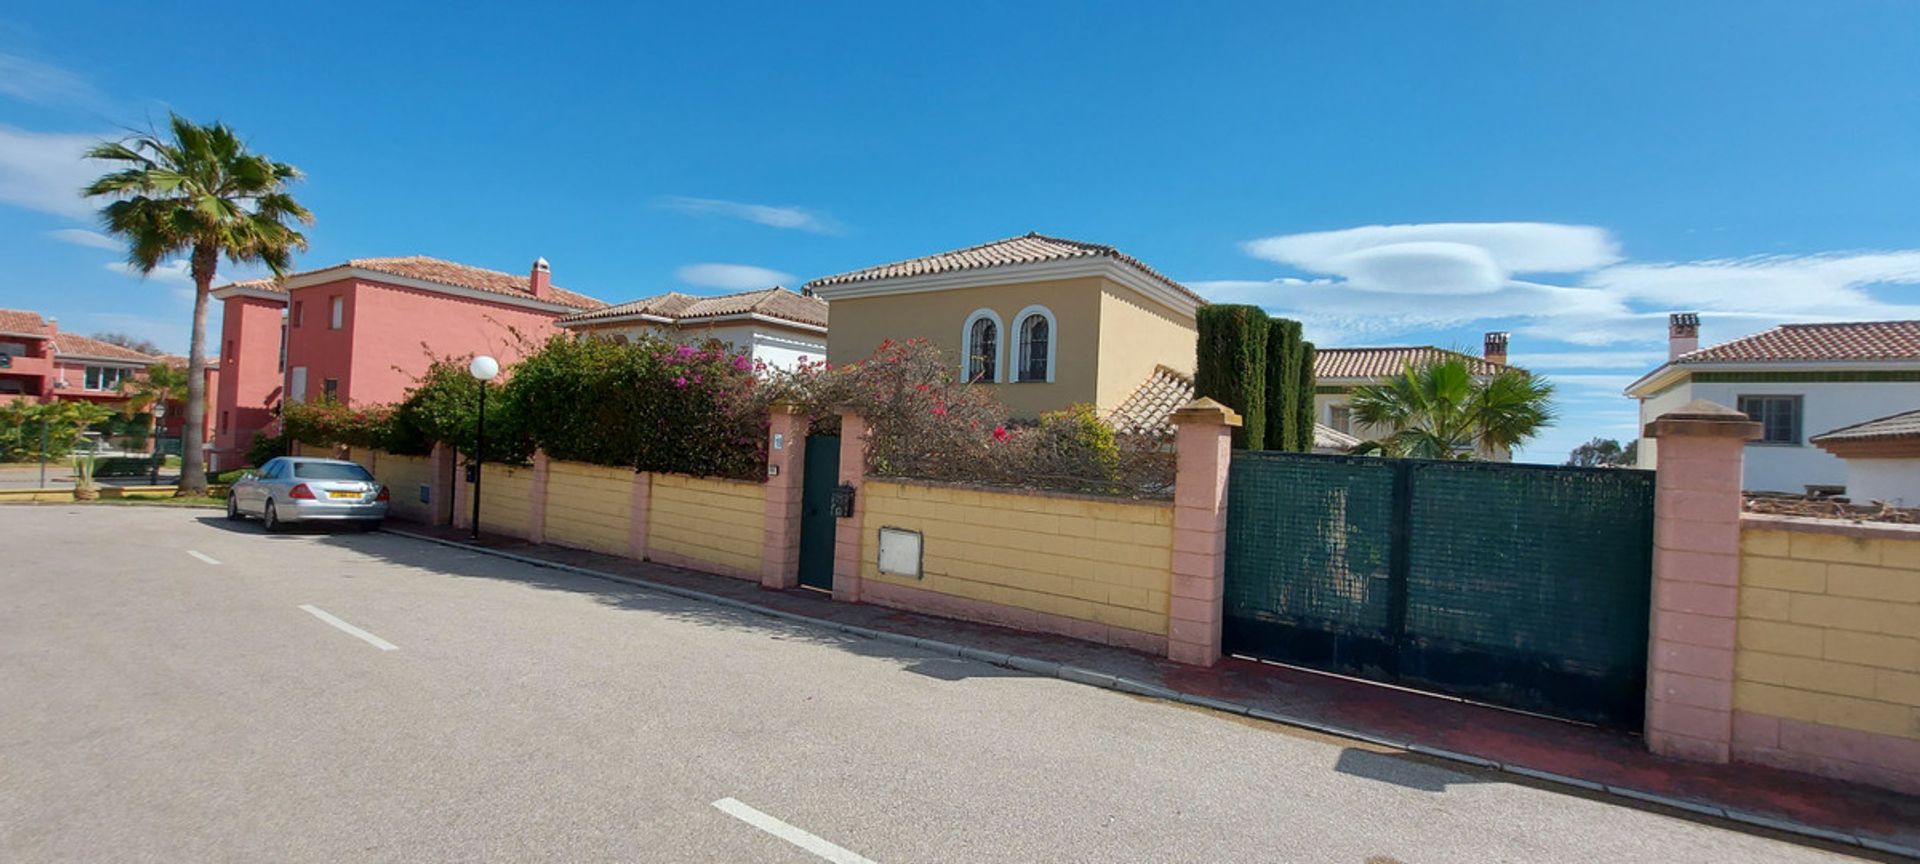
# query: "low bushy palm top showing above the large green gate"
1437 410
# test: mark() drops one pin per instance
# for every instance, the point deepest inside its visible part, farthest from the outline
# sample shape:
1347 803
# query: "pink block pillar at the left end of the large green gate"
1203 446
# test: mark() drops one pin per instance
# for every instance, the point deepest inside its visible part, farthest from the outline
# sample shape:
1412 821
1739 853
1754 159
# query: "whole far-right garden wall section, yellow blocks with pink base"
1827 671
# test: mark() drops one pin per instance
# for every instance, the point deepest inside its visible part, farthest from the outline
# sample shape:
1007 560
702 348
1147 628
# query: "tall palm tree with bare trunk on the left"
204 195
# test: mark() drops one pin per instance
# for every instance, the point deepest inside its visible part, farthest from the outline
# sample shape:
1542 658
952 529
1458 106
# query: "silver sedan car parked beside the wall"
308 491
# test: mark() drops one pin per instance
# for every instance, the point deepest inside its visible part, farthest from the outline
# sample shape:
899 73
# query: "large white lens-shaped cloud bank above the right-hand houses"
1393 279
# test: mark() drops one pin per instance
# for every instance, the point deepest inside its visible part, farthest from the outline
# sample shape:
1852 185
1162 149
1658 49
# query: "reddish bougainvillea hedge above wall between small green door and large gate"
928 425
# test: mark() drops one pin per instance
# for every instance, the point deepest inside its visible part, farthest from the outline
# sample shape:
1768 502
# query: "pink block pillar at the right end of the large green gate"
1696 581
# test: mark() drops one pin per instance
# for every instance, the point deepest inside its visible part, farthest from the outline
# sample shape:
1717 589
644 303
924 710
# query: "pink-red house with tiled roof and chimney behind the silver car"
364 331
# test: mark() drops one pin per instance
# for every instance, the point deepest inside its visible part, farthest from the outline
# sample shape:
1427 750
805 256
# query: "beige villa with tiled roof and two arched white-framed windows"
1047 322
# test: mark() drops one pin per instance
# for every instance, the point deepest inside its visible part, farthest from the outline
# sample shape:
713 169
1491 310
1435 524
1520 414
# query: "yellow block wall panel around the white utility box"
1103 562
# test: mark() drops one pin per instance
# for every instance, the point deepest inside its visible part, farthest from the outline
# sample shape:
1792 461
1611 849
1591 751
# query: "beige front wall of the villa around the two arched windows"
863 324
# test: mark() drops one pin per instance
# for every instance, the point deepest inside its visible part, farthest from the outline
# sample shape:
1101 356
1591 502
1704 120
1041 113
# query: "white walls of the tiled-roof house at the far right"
1825 408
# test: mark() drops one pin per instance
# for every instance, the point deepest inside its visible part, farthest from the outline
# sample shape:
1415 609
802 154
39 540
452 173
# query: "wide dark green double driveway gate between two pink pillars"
1512 585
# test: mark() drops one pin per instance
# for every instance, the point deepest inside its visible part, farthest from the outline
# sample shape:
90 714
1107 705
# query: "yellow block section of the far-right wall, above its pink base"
1831 629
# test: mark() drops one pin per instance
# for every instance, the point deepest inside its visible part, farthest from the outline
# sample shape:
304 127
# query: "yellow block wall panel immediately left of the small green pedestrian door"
719 523
